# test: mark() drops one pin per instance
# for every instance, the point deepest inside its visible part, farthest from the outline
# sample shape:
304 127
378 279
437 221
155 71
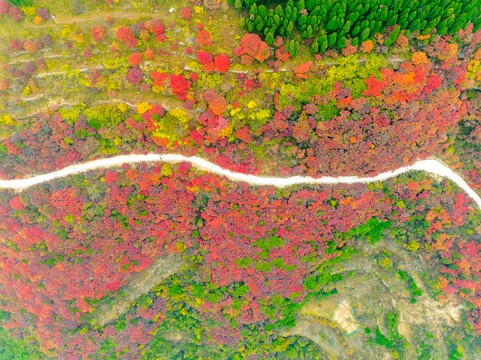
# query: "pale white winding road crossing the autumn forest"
431 166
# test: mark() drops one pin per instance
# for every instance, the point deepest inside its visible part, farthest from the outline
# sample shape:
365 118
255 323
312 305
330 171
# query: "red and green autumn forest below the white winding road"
249 273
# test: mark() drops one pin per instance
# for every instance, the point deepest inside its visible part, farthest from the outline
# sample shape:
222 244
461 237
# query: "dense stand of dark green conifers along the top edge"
332 24
